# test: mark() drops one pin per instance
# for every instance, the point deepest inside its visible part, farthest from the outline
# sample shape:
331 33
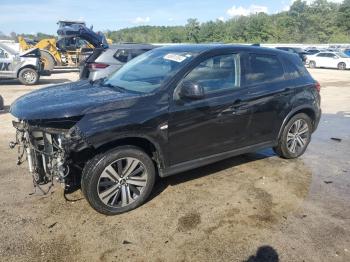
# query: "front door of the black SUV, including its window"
216 123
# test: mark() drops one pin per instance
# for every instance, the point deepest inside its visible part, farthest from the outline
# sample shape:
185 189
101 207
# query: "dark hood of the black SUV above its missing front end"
67 100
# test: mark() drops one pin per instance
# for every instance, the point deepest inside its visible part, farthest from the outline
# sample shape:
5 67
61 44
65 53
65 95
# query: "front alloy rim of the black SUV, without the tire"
122 182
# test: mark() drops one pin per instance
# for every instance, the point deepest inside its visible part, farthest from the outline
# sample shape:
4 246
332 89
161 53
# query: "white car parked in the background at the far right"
329 60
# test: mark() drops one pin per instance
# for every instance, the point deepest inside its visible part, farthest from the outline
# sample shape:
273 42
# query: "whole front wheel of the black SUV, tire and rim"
110 193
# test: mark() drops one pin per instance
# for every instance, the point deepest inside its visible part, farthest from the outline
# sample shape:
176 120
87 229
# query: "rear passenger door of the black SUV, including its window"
269 94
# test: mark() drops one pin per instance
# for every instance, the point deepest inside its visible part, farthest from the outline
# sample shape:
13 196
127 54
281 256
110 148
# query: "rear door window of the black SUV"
263 68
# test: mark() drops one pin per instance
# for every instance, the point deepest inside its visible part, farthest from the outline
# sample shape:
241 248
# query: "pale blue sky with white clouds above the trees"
31 16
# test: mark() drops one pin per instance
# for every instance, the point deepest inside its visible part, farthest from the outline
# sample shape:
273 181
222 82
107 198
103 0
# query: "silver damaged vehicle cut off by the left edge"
26 67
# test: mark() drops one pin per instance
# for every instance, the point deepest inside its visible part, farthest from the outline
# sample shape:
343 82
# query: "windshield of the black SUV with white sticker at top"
147 72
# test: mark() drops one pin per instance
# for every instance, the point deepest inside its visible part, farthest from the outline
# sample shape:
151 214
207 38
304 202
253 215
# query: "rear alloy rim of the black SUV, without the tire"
298 136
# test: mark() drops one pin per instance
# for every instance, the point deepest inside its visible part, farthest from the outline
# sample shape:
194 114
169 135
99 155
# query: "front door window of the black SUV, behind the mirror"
217 73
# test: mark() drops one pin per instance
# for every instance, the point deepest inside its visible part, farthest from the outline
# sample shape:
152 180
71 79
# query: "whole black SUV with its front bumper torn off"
168 110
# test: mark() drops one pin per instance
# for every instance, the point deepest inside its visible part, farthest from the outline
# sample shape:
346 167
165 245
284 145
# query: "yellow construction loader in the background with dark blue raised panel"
74 41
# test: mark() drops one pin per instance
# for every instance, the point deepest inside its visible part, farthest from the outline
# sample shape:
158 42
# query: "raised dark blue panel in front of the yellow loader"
77 30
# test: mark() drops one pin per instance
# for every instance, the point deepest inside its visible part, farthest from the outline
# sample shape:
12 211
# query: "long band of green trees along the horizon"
318 22
